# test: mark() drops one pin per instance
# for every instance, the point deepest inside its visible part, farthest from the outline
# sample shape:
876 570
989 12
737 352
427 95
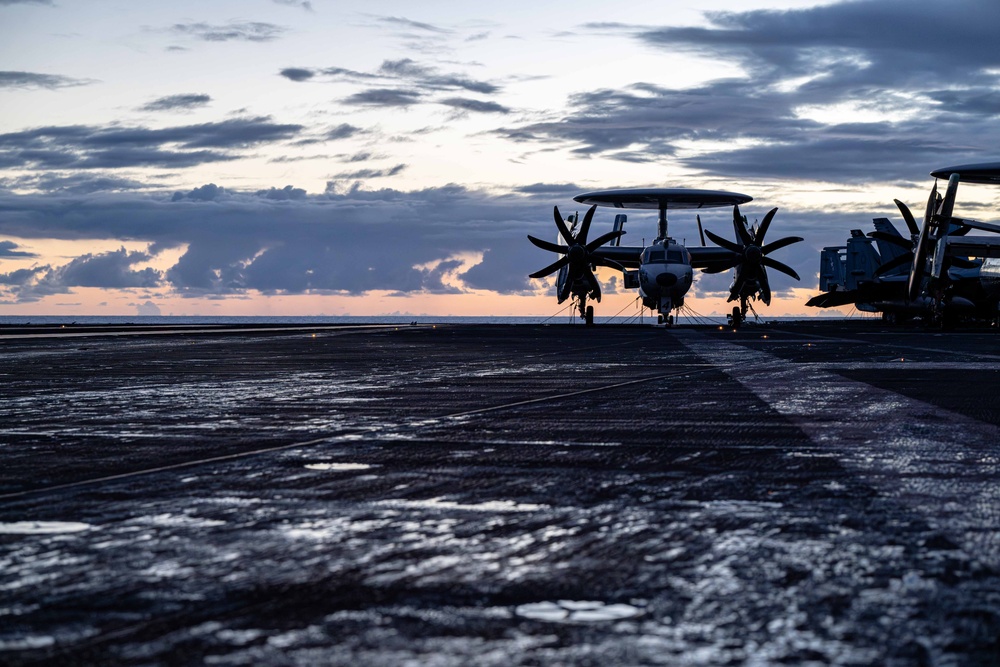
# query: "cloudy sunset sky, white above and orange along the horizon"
311 157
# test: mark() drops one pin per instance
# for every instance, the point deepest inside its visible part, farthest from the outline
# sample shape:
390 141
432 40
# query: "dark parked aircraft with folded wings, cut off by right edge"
938 274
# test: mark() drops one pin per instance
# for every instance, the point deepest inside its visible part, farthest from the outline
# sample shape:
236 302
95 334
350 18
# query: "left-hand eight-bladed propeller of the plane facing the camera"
577 255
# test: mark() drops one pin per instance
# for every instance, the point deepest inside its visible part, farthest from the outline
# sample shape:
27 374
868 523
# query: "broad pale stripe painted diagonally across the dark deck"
942 464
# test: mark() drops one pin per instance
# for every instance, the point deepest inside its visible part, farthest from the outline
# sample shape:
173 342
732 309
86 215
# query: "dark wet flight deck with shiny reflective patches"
502 495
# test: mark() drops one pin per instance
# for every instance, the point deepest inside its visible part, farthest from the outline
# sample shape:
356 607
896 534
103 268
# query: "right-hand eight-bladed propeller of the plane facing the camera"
751 257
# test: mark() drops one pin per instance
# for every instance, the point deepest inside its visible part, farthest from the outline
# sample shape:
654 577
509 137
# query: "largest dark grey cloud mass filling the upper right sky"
860 91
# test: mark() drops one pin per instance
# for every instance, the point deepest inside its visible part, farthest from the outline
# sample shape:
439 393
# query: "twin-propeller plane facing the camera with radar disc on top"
663 270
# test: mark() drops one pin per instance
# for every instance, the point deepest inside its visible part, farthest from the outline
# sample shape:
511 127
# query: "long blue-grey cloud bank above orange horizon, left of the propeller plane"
290 242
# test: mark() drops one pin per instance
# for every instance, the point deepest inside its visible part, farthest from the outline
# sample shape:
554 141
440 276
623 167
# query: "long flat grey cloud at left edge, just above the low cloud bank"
89 147
